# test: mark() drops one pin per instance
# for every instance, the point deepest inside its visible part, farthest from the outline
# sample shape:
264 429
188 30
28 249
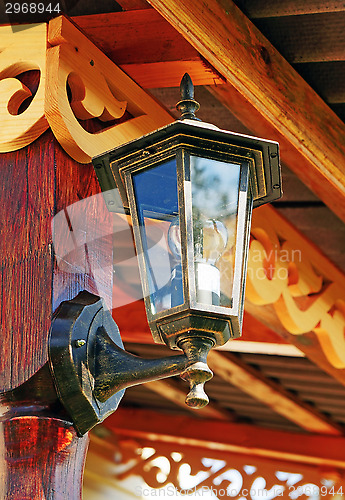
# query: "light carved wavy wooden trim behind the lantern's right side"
297 290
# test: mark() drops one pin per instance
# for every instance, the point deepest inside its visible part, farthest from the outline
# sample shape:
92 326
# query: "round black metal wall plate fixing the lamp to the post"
72 339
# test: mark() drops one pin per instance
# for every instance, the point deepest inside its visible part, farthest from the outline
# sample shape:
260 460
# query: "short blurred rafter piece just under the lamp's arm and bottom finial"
171 391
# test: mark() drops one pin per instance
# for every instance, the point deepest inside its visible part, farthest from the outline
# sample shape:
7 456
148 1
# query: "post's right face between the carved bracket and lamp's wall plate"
82 233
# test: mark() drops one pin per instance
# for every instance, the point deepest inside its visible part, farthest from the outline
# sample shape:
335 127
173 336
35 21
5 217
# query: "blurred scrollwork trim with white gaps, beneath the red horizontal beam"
205 472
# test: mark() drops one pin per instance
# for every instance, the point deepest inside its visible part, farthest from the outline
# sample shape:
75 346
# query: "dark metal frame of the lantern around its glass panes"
259 183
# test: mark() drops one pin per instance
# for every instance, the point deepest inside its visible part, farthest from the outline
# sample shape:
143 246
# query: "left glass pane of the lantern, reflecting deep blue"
156 194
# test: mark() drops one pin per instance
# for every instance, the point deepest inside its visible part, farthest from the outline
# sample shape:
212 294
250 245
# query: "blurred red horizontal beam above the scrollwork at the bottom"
229 437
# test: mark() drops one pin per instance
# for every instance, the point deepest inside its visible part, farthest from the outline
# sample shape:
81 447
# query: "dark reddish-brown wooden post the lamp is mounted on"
41 455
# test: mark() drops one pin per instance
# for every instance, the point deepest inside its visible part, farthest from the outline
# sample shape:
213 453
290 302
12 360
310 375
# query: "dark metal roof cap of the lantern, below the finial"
262 154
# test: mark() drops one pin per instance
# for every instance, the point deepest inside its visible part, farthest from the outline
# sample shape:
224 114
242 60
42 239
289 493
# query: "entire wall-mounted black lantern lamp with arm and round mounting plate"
195 186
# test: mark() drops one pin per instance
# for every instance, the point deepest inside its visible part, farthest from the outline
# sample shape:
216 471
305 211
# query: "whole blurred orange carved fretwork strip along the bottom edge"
176 464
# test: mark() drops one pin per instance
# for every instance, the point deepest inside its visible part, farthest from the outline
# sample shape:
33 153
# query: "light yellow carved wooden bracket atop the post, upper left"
90 104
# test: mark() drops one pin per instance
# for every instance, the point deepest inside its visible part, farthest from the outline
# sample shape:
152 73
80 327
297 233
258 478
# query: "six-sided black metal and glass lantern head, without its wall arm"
190 189
